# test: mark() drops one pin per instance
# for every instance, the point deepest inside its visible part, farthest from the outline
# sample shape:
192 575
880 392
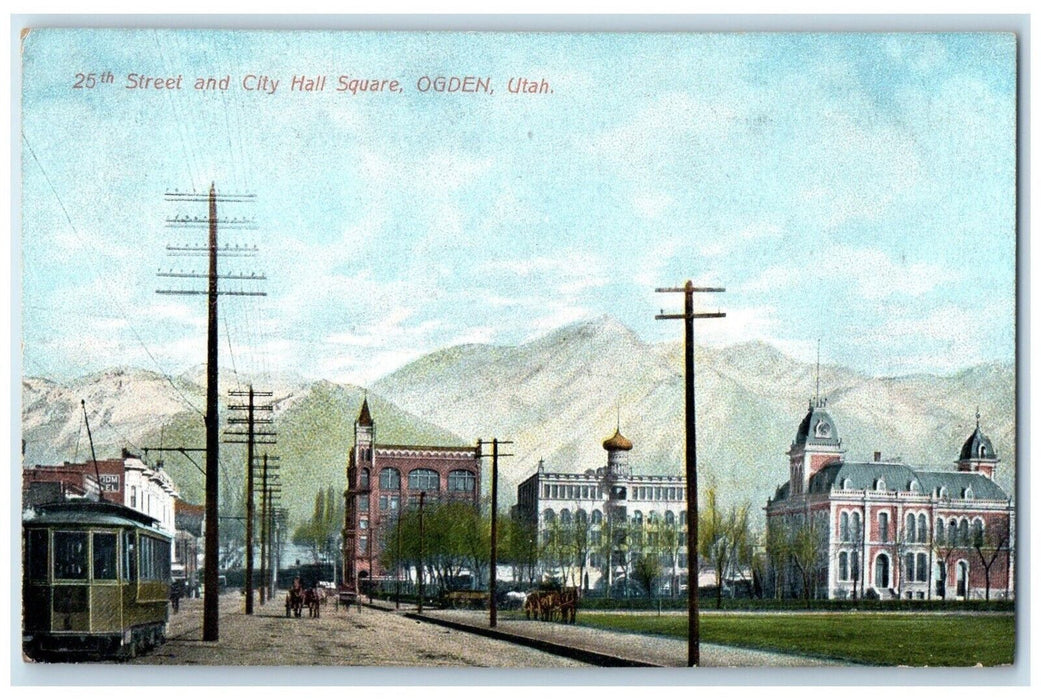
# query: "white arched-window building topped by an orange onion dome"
601 520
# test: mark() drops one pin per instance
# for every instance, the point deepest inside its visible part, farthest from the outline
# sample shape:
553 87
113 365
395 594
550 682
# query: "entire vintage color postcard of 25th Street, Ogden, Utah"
519 349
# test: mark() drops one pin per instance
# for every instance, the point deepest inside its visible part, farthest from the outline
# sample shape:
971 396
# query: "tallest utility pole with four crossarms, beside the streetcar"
211 601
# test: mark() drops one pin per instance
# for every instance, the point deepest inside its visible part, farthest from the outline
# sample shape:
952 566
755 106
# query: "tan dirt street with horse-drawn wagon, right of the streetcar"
339 638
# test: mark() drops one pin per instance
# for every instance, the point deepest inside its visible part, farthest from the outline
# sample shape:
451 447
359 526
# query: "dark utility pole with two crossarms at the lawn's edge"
689 316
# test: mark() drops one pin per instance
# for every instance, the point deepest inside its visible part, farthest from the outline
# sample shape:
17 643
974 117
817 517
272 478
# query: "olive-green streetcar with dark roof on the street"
95 582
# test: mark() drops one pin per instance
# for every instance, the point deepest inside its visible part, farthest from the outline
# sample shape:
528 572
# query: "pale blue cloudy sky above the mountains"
857 189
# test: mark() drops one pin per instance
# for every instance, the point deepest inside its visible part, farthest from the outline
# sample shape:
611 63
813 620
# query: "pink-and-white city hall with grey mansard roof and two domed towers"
886 530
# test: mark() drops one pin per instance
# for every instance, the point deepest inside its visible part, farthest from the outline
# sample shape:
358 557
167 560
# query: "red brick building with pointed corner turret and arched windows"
383 480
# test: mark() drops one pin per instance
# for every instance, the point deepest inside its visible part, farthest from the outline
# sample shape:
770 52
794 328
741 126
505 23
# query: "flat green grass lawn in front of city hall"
874 639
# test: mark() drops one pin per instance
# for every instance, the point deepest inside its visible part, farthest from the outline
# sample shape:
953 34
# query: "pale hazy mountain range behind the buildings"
556 398
